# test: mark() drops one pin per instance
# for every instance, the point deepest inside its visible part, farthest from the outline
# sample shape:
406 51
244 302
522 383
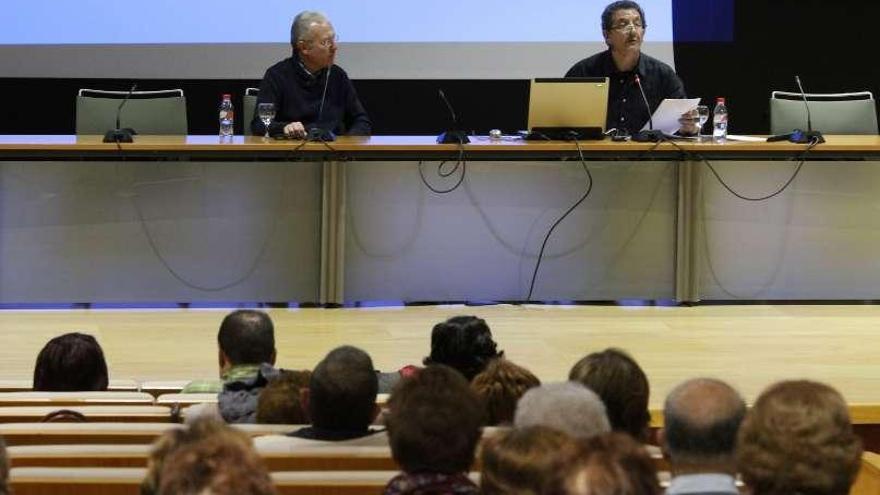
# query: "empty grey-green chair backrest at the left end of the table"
147 112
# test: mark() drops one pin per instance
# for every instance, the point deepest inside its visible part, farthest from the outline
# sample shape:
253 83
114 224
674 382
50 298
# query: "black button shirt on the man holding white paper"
626 109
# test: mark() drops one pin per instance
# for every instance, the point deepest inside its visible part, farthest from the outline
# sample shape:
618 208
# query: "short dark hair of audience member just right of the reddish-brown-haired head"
342 390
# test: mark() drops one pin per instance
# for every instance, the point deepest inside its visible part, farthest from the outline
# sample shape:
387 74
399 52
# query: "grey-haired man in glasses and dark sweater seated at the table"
308 90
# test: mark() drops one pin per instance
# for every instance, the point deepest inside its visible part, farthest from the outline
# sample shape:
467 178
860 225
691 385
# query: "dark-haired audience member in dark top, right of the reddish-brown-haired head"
341 402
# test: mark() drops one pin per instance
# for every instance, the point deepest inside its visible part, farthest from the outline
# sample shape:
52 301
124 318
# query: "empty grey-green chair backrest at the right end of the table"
835 113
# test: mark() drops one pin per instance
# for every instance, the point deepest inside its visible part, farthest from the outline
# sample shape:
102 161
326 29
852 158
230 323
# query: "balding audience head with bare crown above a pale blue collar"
701 420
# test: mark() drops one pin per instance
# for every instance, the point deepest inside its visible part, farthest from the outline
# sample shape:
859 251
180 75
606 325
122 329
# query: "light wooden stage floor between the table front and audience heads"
749 346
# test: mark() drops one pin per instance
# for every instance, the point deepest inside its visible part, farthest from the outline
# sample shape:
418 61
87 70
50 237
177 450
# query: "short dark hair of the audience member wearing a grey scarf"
247 337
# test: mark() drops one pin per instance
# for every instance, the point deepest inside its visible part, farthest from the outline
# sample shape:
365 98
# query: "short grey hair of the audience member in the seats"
567 406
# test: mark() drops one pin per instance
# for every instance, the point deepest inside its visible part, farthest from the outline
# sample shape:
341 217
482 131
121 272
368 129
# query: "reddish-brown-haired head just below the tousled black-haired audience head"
500 386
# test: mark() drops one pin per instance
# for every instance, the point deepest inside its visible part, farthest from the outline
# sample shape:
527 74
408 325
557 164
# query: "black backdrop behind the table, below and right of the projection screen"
737 49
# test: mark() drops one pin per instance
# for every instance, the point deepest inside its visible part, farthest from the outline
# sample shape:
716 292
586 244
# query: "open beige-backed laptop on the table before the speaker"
568 108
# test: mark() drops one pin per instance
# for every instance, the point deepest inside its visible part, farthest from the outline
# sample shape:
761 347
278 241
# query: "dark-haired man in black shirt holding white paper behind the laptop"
623 25
